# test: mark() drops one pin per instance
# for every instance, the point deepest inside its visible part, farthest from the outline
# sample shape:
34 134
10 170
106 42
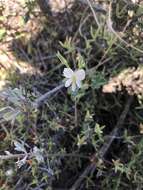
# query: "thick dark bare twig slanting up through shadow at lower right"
91 167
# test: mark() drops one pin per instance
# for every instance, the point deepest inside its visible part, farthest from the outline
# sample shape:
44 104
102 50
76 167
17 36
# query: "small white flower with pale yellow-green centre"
74 78
